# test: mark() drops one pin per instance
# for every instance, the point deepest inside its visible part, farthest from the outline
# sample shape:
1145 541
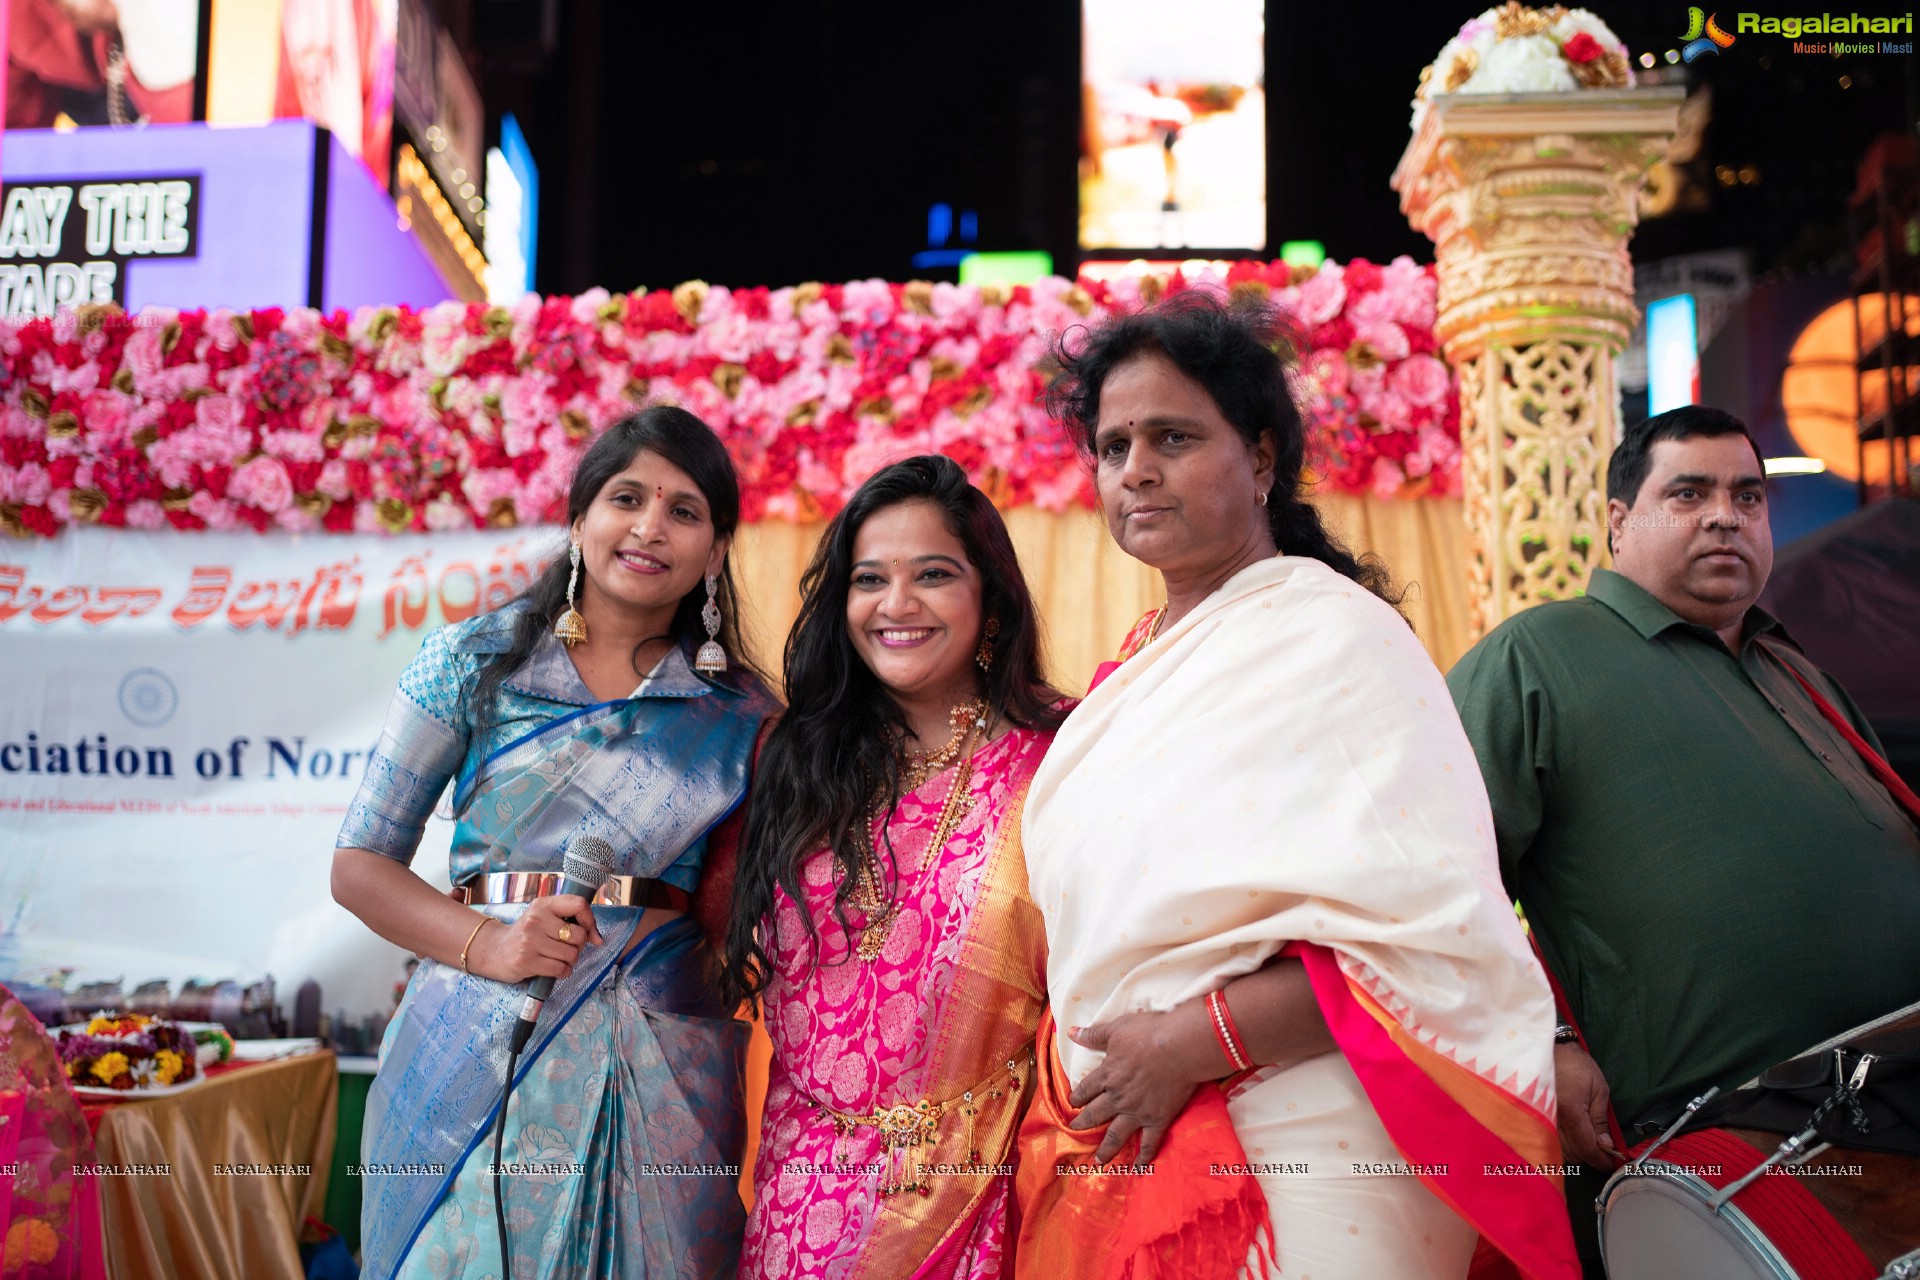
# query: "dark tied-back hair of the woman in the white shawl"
1239 354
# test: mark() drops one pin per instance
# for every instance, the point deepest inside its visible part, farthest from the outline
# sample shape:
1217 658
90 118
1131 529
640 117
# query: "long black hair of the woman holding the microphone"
688 444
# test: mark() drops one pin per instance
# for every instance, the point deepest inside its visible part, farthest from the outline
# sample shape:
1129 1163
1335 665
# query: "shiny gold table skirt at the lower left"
203 1220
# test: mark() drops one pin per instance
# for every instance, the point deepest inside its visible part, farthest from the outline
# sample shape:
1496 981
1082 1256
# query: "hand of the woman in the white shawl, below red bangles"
1138 1091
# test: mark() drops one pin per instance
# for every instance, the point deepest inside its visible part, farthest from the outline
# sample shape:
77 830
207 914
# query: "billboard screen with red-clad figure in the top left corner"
133 62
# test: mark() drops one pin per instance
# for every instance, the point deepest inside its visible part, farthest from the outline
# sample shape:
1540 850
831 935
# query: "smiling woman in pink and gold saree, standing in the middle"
882 913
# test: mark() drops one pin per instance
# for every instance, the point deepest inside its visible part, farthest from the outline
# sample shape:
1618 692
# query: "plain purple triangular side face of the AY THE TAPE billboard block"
370 260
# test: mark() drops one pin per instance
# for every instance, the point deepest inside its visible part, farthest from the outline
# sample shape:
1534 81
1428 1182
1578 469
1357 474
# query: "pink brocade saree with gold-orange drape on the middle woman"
900 1081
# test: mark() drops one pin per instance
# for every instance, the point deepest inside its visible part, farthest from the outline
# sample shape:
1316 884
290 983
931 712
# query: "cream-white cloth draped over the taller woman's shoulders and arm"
1284 765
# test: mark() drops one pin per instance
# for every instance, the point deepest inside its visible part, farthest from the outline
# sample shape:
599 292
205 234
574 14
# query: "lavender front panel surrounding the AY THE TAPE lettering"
256 191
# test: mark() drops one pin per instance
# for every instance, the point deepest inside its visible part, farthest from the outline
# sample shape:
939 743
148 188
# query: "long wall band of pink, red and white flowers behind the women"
469 415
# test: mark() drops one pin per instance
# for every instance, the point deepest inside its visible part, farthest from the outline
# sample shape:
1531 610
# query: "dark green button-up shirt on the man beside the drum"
1712 872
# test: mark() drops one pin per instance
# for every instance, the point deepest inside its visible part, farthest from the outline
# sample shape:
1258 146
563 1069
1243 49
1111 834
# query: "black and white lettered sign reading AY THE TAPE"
66 245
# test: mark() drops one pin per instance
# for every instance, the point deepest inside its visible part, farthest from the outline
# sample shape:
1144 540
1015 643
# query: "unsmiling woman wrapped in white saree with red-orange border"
1278 943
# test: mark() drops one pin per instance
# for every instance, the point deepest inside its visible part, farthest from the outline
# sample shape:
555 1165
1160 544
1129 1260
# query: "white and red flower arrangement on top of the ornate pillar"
1522 51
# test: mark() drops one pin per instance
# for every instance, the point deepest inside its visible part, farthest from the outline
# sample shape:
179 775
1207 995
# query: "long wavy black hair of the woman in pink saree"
836 744
